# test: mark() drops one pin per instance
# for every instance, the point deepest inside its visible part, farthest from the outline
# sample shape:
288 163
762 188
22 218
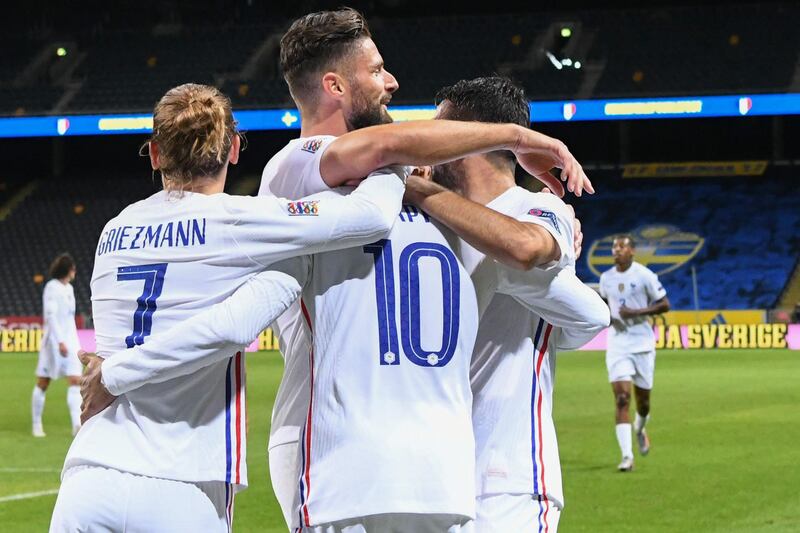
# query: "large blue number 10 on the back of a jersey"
410 331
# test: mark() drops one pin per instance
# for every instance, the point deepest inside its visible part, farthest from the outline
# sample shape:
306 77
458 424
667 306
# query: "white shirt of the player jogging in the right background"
635 288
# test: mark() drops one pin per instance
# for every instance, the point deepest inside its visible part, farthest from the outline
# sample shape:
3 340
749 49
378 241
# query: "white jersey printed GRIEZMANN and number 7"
167 258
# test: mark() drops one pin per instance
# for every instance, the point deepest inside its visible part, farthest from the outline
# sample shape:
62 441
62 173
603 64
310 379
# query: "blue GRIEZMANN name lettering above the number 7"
181 233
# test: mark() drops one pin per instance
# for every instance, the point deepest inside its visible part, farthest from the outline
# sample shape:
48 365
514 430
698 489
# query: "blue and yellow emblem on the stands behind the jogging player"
659 247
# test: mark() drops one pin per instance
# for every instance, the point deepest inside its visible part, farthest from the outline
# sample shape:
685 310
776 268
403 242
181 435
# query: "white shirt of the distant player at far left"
58 308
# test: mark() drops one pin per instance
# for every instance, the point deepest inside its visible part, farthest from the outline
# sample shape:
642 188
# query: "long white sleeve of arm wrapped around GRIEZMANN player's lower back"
208 337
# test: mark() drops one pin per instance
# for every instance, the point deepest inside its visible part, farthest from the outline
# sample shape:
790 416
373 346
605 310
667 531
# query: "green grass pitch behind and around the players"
725 453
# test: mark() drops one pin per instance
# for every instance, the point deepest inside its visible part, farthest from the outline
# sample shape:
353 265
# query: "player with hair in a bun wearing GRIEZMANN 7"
169 455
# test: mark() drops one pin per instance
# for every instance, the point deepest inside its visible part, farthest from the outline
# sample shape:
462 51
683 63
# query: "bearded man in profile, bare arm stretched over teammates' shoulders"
340 85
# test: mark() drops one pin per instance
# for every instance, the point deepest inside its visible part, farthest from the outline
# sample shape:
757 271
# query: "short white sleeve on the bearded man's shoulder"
295 172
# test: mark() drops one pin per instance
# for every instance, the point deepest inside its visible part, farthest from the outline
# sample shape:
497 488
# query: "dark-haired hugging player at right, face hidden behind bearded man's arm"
526 315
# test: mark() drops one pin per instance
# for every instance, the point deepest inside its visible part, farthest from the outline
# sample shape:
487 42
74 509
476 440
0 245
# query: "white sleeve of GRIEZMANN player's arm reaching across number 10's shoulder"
270 229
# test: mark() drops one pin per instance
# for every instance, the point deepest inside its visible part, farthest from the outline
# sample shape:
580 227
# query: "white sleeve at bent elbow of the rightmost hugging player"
561 299
